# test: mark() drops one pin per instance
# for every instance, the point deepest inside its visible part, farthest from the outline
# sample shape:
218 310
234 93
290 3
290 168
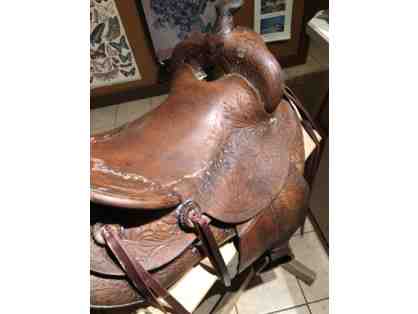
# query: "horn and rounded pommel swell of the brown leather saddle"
237 50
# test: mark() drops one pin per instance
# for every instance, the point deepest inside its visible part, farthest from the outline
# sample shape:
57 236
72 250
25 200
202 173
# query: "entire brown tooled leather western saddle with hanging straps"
218 161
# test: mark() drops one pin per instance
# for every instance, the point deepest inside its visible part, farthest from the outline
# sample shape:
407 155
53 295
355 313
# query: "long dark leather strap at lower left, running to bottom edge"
148 287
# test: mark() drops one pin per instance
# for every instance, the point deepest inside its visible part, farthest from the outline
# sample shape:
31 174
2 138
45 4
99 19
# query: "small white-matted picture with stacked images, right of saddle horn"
273 19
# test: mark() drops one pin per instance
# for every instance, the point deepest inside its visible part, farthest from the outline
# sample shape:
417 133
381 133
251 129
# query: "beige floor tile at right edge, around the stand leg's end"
309 251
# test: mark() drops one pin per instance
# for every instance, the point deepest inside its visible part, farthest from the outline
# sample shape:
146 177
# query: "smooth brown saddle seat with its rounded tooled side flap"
207 139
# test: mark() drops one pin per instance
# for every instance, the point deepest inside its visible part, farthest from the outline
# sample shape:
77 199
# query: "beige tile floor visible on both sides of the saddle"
277 291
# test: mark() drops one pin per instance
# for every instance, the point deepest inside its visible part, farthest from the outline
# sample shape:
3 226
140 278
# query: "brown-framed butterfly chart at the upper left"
123 67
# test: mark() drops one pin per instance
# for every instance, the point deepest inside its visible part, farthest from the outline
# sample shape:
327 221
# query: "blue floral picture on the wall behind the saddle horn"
170 21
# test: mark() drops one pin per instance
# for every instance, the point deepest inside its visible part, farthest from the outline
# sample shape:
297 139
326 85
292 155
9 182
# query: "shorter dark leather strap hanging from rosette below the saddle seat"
201 223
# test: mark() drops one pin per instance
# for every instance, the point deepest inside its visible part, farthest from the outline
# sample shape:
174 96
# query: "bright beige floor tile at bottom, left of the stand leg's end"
272 291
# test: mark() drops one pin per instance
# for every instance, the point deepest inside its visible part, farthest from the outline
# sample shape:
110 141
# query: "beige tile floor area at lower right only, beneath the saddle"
280 292
